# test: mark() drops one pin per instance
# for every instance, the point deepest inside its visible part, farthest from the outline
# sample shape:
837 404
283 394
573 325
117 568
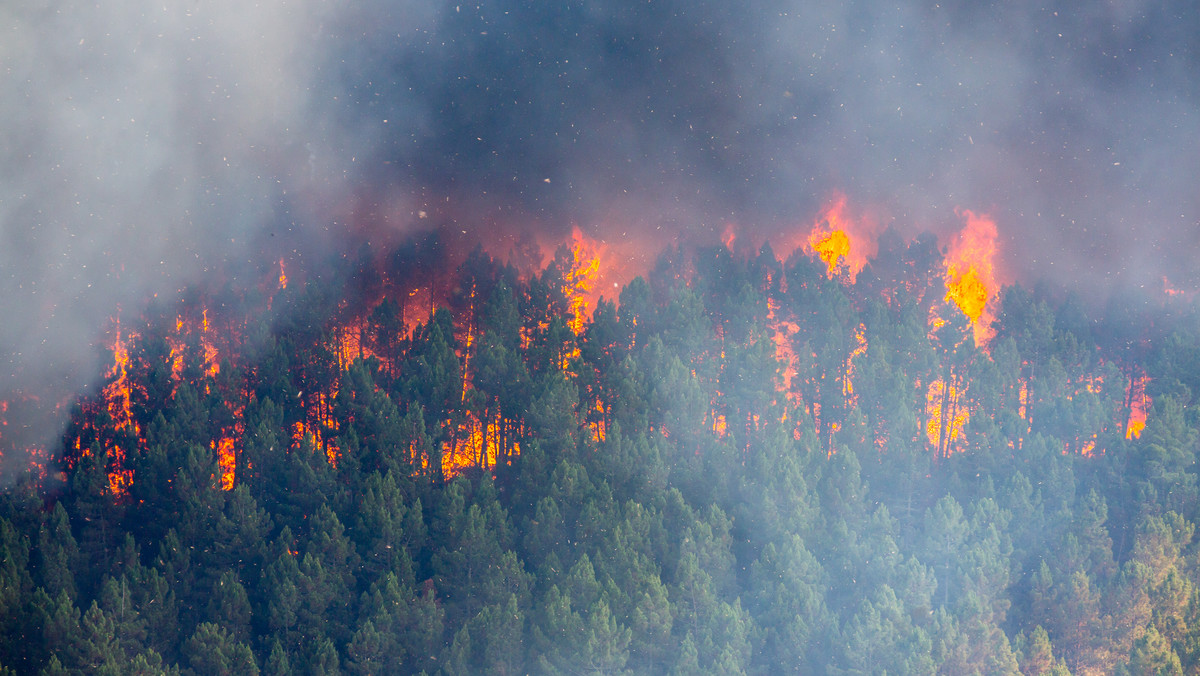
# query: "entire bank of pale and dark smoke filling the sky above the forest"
147 147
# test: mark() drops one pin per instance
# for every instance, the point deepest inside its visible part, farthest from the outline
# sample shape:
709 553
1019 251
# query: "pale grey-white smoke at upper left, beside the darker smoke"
146 147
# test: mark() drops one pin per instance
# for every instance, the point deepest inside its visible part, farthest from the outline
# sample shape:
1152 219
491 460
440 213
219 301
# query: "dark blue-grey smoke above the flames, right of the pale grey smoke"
1075 125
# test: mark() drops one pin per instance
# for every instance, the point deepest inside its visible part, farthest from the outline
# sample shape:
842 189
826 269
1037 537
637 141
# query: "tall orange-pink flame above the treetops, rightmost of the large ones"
970 274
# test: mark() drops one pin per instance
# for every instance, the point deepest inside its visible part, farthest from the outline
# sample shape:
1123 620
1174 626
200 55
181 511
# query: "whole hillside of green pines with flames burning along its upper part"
742 465
